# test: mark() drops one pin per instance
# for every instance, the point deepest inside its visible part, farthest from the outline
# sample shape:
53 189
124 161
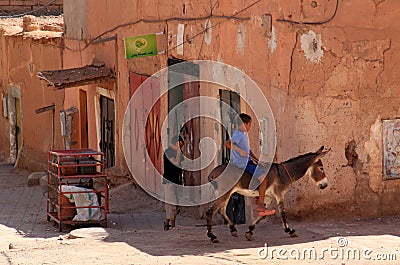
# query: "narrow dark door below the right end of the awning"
107 143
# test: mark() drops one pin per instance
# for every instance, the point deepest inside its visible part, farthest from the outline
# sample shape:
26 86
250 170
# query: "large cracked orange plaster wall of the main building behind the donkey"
328 68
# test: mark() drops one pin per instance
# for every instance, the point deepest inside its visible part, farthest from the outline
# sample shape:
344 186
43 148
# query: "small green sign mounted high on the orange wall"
141 46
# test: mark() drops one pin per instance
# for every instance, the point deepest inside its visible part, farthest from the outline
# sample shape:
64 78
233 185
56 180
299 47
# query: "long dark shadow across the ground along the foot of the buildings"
23 208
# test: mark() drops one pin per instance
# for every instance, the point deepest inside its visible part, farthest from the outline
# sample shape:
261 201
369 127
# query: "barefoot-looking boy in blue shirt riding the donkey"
242 158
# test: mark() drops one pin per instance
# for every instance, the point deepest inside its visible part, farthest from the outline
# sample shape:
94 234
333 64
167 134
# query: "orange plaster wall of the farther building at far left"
23 59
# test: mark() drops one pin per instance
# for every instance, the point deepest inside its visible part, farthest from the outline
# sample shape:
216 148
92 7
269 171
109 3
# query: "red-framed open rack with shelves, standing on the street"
83 168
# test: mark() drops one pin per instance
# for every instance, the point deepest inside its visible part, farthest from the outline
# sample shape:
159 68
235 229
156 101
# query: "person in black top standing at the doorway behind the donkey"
173 158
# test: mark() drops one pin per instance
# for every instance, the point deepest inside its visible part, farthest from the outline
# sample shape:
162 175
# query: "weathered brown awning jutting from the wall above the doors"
77 76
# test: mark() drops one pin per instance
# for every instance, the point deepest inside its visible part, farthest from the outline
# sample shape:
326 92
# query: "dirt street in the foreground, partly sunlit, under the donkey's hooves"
329 241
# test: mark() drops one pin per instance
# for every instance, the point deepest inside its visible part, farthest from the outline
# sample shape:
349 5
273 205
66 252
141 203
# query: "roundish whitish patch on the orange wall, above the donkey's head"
311 44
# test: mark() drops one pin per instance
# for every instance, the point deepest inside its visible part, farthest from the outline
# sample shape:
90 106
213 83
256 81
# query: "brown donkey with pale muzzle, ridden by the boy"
280 177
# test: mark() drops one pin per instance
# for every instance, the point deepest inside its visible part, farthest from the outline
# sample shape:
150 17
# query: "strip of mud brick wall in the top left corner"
11 7
